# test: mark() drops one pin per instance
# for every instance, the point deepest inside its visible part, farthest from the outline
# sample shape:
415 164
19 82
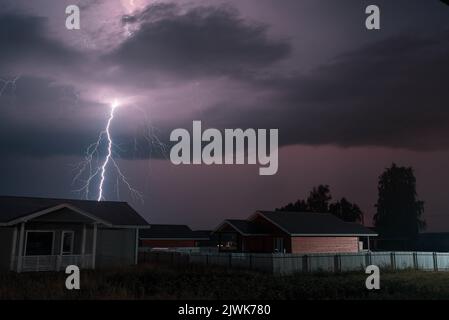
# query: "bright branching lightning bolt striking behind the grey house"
97 169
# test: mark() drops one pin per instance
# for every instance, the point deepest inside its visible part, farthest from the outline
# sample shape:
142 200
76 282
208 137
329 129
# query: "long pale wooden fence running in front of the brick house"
291 263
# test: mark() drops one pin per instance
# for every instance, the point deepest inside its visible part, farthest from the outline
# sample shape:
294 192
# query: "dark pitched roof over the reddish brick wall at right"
314 224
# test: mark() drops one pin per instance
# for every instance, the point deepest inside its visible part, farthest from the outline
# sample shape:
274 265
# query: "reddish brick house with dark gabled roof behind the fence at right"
291 232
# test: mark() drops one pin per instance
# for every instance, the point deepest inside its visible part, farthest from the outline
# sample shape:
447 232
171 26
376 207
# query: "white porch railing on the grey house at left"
53 262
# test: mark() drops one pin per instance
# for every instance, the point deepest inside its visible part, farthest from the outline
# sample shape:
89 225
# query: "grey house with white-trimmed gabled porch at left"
38 234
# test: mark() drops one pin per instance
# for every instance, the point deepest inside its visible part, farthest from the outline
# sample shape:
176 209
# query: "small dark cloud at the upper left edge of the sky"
24 41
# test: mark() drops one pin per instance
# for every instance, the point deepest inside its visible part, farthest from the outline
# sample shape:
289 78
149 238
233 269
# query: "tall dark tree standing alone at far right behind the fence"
398 209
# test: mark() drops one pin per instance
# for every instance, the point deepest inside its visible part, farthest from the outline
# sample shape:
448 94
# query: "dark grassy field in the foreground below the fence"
163 282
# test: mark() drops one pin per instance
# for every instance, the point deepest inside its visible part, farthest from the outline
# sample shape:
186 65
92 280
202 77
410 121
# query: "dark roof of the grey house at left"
115 213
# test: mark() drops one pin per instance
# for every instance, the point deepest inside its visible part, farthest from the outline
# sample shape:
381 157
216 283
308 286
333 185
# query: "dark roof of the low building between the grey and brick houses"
170 231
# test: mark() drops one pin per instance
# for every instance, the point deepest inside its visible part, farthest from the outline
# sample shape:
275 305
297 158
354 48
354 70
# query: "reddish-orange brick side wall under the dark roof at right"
324 244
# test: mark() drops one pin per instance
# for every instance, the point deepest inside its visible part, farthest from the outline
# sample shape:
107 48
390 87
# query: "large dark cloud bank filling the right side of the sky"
392 93
